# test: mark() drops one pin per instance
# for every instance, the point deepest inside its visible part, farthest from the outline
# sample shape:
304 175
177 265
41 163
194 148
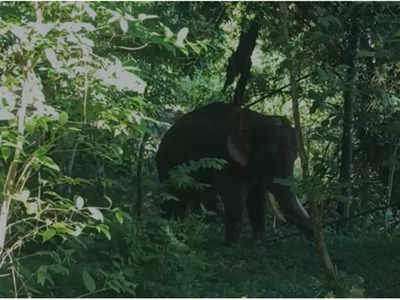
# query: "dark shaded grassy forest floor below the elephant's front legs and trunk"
290 268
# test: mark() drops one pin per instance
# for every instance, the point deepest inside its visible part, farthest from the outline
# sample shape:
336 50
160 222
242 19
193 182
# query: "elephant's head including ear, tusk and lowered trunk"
266 147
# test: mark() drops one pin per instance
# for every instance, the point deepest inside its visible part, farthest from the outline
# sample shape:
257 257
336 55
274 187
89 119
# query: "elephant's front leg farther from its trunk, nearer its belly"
233 193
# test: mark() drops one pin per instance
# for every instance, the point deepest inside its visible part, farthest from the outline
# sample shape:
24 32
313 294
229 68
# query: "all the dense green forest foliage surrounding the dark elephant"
87 90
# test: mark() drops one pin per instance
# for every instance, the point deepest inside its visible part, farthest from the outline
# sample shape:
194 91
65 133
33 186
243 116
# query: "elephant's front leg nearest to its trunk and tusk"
256 210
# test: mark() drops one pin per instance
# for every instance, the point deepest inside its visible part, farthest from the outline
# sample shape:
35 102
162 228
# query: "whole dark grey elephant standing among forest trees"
258 150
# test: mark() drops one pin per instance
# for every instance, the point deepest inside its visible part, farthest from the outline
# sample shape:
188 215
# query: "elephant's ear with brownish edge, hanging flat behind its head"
238 139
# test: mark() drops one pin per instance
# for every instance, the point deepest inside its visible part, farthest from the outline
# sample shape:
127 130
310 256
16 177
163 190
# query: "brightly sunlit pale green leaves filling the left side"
50 63
